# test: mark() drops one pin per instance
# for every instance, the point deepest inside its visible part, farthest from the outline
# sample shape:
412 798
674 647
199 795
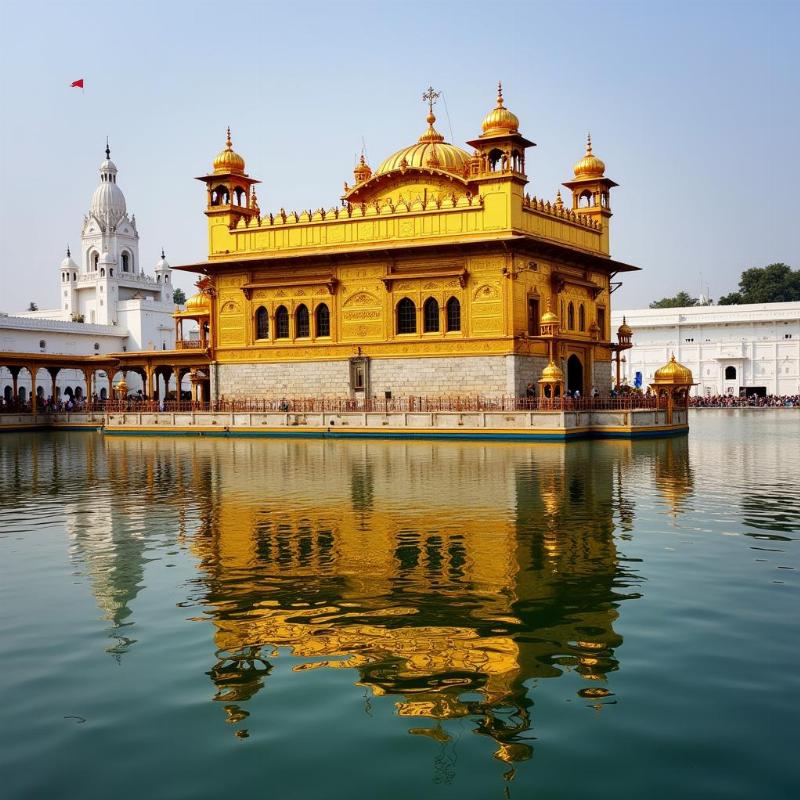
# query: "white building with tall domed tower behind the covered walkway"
107 303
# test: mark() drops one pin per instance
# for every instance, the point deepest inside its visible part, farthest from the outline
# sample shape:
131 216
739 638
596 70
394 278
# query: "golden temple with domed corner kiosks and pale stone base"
430 277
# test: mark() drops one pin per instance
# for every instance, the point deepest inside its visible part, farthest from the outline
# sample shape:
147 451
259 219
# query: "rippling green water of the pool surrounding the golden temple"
205 618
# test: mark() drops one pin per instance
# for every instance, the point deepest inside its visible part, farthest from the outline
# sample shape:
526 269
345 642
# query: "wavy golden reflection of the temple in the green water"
449 577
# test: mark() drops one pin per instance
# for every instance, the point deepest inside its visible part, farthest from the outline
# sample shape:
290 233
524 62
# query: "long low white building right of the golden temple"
730 349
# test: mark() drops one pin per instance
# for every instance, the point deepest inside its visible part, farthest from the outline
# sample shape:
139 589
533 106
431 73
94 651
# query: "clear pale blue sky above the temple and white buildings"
692 105
